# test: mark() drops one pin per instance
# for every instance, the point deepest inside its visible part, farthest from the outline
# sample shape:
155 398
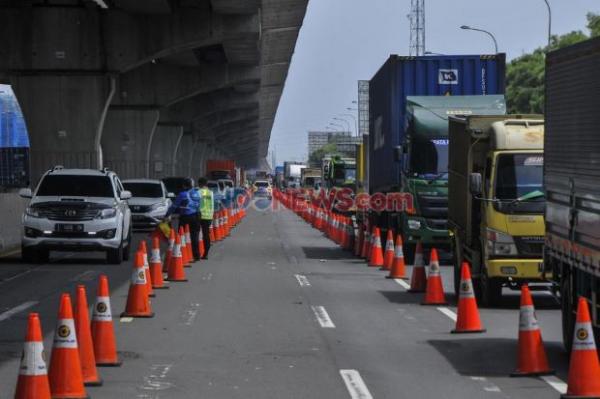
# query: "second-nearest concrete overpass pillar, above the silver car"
127 141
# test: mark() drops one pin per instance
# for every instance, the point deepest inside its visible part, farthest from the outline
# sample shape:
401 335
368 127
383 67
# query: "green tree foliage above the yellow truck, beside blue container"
525 74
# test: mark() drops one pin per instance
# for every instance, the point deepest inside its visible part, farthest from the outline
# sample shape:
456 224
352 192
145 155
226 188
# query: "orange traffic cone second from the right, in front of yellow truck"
532 356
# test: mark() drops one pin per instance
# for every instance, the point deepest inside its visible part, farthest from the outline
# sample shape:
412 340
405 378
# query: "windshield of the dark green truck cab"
429 158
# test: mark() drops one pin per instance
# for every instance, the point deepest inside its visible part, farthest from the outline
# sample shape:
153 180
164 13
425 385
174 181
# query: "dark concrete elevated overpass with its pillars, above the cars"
147 87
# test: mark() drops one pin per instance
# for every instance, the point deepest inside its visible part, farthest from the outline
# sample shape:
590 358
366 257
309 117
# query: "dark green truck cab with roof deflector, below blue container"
424 160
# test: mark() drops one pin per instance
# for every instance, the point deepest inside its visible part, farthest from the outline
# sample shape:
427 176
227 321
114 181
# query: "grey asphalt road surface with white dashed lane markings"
279 311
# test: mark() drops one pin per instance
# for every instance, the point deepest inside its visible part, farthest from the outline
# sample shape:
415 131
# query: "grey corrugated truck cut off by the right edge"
572 178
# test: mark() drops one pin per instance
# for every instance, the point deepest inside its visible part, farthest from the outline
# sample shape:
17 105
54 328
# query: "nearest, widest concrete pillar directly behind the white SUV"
65 117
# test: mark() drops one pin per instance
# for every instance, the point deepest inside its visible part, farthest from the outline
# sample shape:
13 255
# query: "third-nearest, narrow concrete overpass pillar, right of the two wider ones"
164 145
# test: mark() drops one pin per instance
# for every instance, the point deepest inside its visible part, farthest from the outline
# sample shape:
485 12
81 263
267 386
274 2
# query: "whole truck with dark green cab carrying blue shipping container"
410 99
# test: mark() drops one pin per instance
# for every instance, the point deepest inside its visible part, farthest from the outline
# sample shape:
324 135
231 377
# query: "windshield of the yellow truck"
519 177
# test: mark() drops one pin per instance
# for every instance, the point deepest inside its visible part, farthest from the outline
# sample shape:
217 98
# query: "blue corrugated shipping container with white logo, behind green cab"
400 77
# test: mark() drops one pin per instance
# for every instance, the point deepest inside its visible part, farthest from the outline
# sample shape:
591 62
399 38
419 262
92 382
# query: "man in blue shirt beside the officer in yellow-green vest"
186 205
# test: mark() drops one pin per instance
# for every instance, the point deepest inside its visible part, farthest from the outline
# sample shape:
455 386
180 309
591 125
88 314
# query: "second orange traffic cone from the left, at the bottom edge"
64 373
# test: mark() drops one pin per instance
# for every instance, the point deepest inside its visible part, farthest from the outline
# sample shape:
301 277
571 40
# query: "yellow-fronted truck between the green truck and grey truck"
496 201
